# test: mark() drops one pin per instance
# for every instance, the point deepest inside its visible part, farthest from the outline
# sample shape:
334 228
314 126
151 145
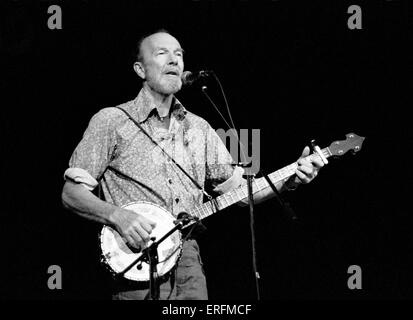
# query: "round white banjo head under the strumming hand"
118 256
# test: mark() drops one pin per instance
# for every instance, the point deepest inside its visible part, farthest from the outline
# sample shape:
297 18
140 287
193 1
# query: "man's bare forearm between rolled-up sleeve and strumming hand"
78 199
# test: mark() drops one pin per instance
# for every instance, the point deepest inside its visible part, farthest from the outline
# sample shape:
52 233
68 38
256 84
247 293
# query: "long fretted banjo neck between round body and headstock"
225 200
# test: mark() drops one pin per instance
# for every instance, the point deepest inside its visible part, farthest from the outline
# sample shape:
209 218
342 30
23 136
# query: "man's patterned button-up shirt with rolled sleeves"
131 167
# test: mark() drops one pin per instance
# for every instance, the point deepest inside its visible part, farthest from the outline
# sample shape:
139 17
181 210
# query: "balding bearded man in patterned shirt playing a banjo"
116 153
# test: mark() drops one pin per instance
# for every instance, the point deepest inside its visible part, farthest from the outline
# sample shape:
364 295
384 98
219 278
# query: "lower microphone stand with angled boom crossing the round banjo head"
150 256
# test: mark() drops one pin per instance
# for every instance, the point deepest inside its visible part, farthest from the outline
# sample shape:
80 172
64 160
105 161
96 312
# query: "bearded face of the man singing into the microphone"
162 63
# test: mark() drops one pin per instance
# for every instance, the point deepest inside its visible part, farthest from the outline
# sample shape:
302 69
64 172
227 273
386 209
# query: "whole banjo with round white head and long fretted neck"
117 255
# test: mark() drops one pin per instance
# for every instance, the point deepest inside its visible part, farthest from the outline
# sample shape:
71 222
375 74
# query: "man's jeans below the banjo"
185 282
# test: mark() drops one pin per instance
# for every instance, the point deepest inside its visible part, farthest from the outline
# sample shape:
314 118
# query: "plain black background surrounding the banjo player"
292 69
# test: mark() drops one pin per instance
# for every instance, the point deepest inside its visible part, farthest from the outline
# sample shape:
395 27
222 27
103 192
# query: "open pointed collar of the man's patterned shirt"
146 107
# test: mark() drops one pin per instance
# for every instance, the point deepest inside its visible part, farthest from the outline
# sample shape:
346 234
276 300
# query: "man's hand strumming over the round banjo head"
134 228
